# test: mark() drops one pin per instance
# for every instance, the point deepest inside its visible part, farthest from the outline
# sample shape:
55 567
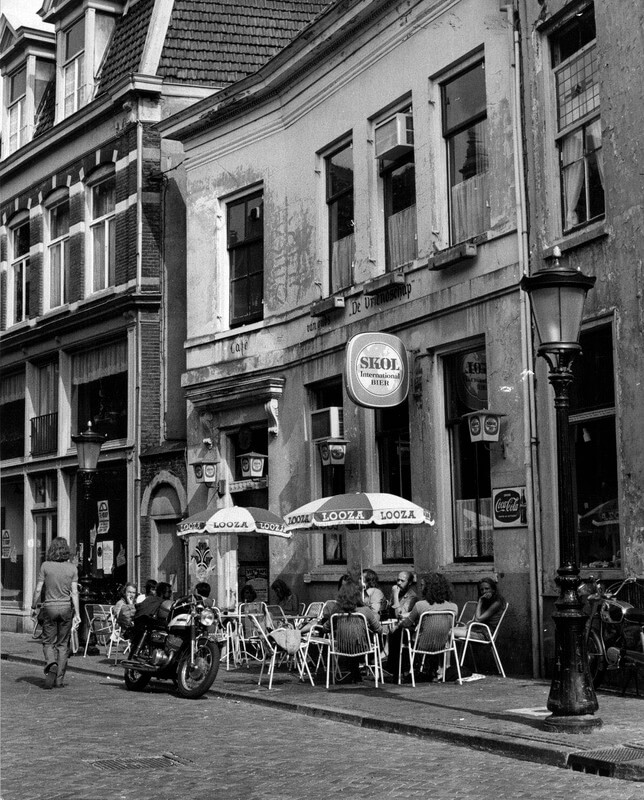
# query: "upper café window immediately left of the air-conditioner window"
339 198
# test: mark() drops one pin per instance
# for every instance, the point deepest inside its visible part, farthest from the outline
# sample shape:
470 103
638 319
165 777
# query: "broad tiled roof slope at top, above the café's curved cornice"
218 43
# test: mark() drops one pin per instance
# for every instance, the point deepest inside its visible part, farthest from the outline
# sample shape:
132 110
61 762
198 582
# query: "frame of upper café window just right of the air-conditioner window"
450 134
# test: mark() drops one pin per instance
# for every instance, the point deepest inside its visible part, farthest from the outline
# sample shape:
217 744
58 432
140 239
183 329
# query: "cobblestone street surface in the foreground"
58 745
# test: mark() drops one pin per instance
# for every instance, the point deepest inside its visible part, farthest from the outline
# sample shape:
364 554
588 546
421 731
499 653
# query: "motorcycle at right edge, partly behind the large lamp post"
614 631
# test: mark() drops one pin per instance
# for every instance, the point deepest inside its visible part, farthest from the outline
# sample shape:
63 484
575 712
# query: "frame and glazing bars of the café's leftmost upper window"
248 243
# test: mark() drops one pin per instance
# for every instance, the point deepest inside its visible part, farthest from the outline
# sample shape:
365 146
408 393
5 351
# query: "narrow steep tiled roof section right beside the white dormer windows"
126 47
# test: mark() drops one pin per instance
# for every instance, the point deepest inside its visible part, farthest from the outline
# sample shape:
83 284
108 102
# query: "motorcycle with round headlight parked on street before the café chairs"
179 649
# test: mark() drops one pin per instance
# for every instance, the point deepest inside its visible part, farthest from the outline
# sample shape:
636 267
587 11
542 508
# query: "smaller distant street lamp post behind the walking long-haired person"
88 448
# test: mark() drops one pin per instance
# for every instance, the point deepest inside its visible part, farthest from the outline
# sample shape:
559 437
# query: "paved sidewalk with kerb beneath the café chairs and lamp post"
499 715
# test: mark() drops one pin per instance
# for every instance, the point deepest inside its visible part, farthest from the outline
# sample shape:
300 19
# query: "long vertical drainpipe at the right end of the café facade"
527 360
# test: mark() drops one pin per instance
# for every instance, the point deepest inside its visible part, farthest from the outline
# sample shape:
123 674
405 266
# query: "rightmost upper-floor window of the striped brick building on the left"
103 234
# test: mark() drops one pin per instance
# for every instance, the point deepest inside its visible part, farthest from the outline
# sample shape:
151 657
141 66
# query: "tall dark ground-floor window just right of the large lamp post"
592 424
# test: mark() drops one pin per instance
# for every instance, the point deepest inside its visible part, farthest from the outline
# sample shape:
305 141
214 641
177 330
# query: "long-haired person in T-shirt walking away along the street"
60 579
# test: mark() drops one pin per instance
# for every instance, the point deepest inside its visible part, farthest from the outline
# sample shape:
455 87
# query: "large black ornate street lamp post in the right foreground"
557 297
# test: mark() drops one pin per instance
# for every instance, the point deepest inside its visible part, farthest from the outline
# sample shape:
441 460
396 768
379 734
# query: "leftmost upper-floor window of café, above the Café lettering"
246 259
